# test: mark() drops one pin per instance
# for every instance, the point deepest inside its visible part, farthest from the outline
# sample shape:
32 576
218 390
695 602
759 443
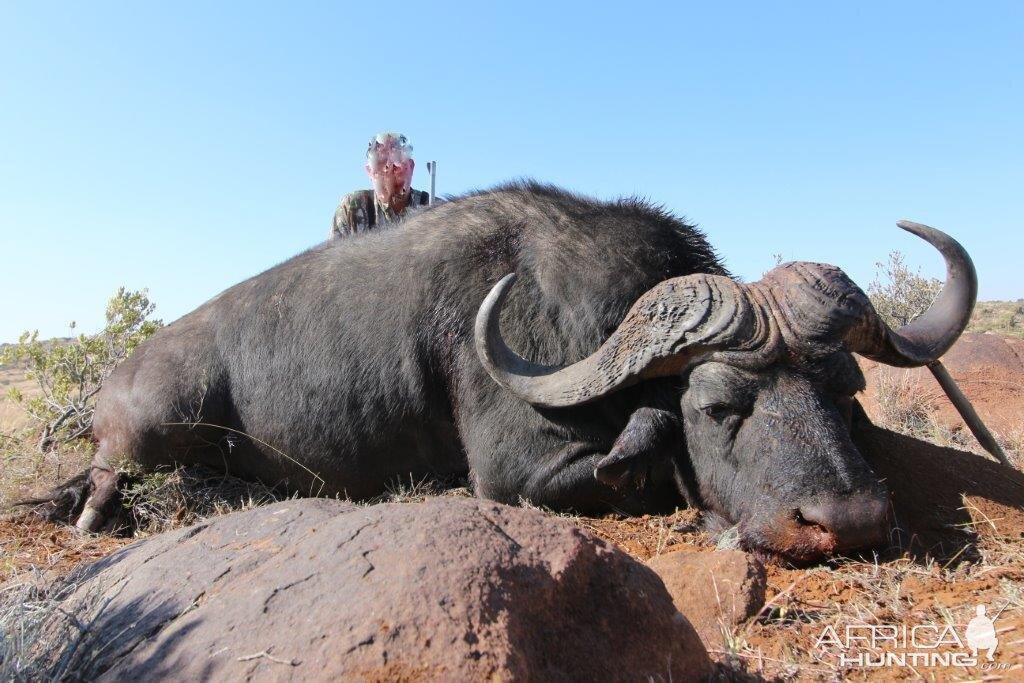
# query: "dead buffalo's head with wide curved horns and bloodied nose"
769 381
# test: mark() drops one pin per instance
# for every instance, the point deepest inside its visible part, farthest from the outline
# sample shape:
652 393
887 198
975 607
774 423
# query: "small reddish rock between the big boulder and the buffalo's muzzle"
715 590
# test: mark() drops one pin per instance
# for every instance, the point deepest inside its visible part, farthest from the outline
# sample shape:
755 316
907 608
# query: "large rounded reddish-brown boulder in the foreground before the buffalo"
318 589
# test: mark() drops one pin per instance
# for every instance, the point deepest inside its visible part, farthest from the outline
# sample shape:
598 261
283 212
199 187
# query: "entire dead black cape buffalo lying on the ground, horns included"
653 377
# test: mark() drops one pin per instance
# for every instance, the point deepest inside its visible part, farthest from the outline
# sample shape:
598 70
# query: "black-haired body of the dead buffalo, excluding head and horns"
353 364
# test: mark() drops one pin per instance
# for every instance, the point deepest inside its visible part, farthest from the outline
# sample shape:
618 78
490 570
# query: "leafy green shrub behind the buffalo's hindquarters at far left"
70 374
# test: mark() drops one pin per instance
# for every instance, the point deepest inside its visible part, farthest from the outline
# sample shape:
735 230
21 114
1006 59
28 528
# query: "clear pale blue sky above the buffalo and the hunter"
185 147
